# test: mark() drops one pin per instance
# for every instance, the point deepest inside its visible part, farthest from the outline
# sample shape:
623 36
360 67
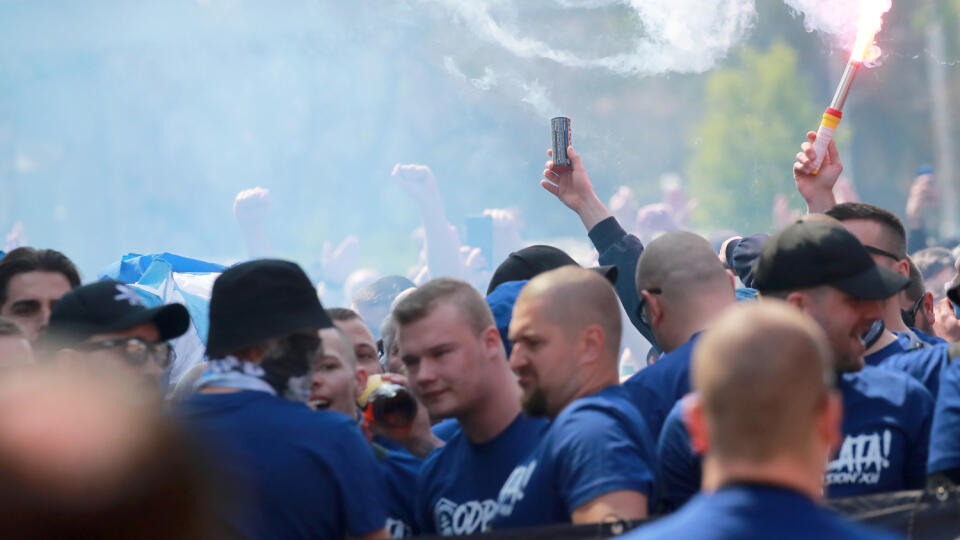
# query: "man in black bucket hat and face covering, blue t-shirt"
291 472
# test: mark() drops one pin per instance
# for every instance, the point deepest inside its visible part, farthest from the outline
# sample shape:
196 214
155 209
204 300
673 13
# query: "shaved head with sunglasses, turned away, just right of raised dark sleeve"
682 265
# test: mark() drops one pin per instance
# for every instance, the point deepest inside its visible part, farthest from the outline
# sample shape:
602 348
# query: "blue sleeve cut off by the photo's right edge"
945 432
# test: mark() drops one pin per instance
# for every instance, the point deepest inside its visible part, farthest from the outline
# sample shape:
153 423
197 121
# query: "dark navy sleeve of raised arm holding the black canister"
622 250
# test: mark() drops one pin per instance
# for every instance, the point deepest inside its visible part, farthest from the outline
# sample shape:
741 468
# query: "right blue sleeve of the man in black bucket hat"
360 481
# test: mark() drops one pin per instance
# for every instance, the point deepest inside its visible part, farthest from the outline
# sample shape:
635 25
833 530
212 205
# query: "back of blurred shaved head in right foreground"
762 371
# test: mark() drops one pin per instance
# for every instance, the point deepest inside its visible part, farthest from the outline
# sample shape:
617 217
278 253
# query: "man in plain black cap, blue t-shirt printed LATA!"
823 270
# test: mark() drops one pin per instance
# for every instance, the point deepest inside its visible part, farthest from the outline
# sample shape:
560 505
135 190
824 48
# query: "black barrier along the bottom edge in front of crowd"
926 515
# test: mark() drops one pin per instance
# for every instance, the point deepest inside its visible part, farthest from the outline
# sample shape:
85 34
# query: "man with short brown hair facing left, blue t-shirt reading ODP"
457 367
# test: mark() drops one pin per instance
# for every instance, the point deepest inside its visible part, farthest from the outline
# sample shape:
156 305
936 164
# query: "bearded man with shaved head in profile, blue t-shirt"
596 459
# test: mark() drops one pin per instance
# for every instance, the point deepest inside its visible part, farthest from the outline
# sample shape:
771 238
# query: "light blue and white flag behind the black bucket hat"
166 278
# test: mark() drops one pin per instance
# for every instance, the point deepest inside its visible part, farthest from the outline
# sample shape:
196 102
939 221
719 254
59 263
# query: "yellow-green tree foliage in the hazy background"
757 114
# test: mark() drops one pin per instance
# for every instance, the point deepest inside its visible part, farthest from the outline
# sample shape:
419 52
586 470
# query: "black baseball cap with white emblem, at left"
110 306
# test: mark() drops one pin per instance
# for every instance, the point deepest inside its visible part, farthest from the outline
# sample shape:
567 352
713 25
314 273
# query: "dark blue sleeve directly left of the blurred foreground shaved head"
680 467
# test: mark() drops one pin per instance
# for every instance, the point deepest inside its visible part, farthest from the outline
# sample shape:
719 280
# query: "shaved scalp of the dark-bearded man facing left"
575 298
